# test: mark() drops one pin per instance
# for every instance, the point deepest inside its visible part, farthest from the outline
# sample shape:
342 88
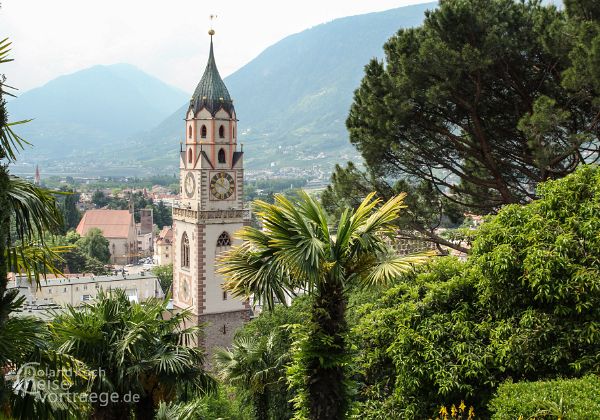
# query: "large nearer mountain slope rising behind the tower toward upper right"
293 99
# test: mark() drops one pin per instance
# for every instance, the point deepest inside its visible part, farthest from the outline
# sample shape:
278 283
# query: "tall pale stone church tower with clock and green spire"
210 209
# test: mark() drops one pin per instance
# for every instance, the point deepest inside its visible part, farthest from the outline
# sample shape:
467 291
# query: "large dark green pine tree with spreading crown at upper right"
473 104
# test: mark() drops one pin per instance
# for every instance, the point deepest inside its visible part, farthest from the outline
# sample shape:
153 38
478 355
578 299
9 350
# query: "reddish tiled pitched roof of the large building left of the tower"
112 223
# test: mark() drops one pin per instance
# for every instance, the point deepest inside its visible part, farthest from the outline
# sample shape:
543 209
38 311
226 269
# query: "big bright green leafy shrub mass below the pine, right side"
525 305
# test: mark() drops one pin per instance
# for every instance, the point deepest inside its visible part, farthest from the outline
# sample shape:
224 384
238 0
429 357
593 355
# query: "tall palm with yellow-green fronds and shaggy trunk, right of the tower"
298 252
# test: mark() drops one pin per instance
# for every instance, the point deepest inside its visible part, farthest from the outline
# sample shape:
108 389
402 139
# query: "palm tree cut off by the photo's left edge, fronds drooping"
26 212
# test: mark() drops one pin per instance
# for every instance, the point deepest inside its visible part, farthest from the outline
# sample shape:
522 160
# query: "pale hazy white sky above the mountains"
167 39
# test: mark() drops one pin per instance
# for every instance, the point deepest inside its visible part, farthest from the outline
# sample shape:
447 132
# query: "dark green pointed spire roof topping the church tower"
211 93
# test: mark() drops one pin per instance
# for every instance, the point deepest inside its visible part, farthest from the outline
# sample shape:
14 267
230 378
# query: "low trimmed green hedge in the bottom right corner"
561 399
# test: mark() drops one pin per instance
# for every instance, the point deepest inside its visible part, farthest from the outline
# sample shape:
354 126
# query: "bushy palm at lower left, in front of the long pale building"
135 350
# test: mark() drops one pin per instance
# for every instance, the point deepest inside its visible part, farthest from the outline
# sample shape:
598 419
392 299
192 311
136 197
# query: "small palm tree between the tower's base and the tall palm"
253 365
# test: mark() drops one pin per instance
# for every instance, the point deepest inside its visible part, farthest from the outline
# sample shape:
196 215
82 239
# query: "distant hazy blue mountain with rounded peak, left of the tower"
92 110
